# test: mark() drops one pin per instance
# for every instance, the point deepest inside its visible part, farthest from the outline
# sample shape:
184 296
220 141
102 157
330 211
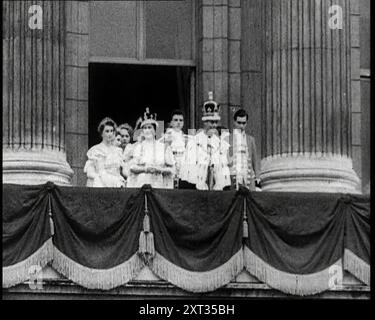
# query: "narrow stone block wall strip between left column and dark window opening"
77 82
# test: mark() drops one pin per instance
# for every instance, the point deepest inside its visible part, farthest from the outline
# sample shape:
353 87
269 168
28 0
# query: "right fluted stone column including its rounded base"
307 111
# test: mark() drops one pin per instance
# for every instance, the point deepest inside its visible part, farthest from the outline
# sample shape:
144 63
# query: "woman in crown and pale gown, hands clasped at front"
153 162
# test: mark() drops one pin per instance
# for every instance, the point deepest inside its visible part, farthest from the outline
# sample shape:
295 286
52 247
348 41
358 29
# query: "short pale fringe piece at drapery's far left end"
20 272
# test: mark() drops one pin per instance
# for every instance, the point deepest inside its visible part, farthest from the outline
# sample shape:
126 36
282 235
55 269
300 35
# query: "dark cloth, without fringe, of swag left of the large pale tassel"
99 228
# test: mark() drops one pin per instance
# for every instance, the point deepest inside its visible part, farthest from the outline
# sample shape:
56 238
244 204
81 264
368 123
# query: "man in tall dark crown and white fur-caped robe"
203 165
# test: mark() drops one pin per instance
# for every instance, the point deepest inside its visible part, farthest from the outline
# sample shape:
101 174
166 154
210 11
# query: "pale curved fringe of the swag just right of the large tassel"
198 281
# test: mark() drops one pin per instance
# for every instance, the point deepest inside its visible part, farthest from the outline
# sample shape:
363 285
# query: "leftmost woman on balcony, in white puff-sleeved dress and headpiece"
105 161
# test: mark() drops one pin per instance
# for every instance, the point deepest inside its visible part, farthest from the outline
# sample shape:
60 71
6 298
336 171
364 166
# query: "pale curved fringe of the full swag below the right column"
295 284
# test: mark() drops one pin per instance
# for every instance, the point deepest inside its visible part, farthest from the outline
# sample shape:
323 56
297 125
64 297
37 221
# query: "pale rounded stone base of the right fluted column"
309 173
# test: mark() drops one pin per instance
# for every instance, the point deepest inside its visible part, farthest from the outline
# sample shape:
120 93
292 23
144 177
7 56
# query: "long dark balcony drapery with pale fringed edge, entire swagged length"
197 240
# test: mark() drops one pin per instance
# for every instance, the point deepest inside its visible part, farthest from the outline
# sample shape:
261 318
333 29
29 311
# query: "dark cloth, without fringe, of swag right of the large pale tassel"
198 231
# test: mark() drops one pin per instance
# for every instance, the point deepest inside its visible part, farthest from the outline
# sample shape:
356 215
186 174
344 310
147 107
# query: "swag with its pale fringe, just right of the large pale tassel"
197 238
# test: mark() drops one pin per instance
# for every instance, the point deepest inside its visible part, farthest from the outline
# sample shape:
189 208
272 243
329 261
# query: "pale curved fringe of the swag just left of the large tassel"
104 279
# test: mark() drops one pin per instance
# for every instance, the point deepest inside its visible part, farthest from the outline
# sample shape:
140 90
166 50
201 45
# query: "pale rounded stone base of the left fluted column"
32 167
